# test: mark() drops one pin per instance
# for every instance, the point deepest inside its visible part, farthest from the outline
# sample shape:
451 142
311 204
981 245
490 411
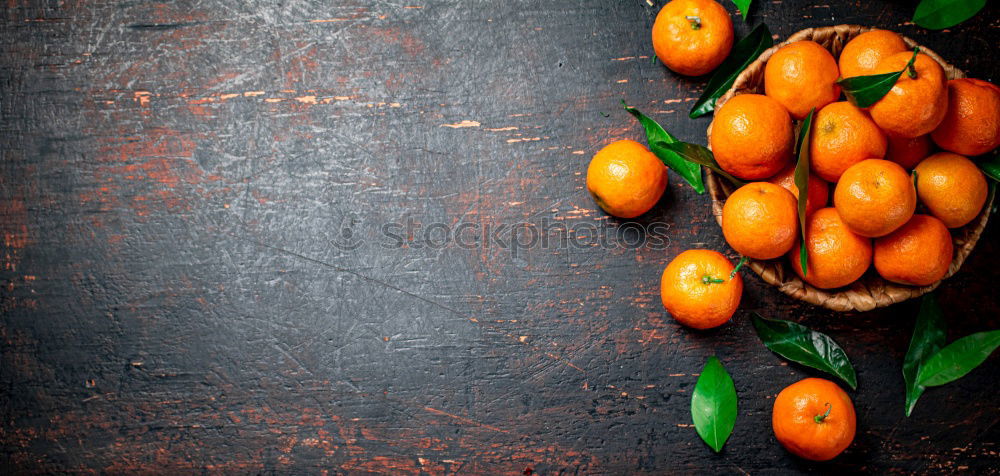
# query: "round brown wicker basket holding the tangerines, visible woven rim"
871 291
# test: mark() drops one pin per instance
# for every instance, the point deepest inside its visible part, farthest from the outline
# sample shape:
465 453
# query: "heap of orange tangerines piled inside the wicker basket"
925 123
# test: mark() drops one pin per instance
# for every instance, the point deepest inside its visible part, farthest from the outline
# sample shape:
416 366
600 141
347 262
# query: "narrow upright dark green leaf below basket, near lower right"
928 338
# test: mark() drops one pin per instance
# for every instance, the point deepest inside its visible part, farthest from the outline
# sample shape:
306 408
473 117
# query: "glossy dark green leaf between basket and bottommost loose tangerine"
805 346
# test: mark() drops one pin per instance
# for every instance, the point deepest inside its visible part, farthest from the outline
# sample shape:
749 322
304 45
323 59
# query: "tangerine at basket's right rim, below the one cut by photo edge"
951 187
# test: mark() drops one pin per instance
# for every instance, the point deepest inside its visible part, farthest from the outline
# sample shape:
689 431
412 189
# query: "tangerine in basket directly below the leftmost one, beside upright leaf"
760 221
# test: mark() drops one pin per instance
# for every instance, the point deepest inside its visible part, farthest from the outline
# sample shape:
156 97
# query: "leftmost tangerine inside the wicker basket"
752 136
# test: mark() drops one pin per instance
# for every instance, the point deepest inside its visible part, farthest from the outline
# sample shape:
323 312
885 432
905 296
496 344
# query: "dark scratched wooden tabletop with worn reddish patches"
296 236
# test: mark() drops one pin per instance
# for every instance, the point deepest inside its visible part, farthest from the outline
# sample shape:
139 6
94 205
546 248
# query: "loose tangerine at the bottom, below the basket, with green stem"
814 419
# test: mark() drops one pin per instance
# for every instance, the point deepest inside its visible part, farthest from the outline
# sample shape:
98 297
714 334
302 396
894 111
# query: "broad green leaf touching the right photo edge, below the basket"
958 358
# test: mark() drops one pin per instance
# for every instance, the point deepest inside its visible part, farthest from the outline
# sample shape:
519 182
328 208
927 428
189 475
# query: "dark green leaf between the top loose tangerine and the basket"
744 52
